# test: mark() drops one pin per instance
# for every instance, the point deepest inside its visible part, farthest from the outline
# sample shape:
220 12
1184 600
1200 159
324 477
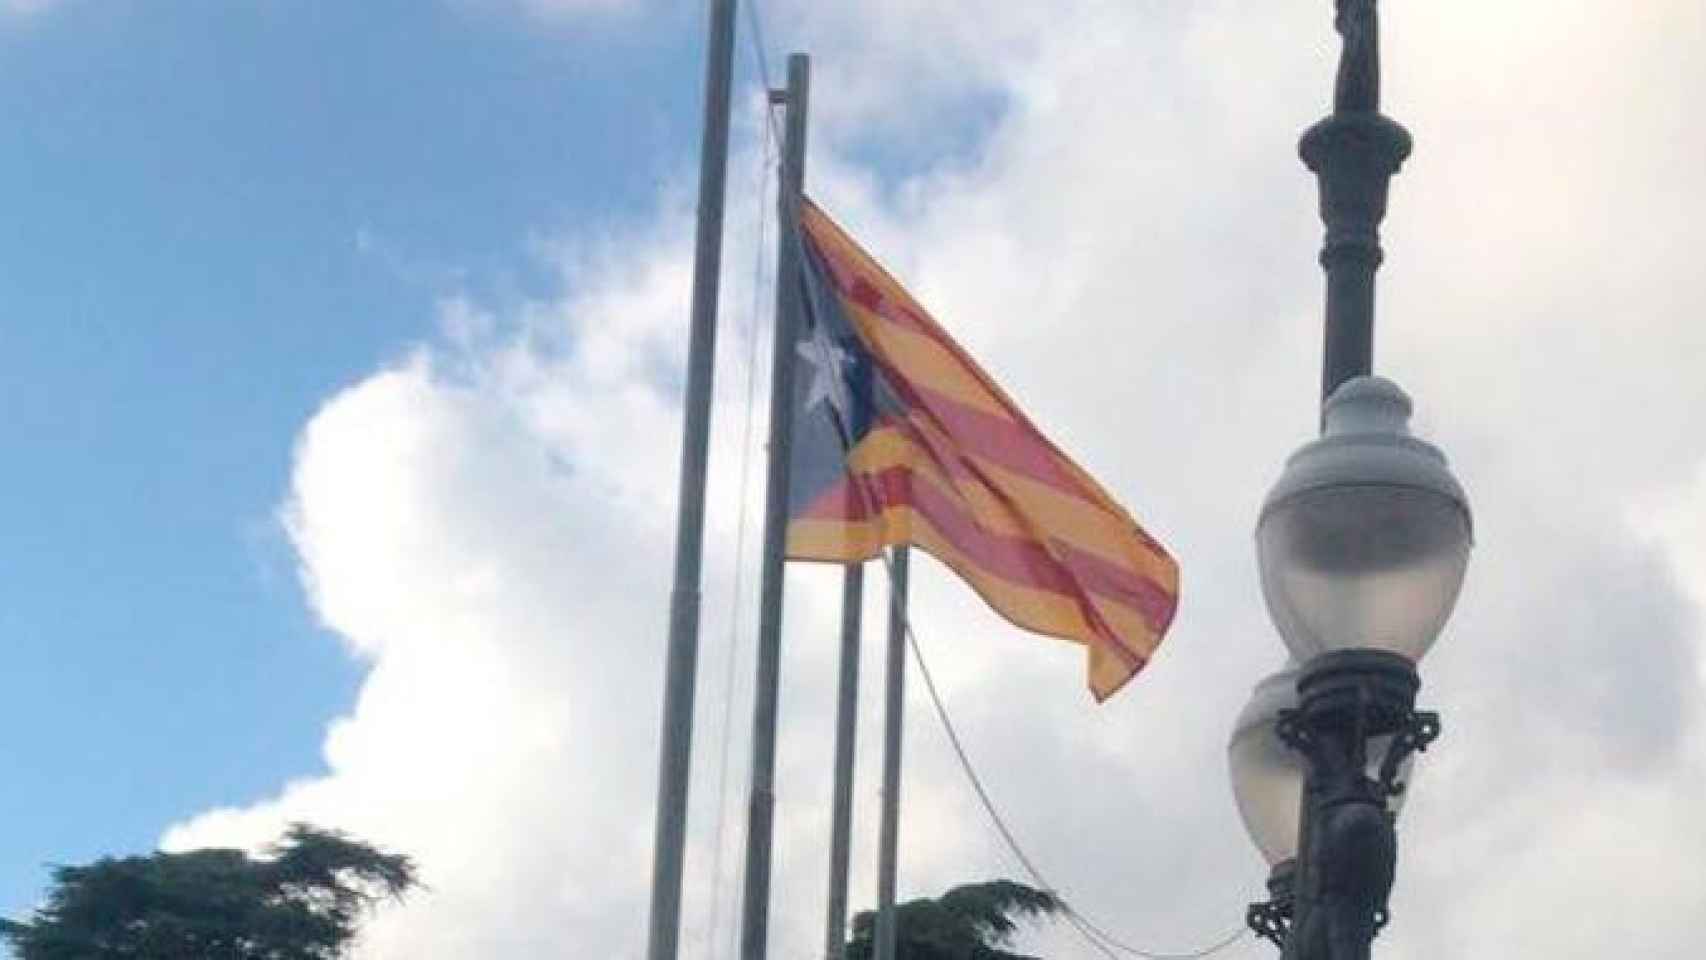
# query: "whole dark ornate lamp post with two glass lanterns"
1362 547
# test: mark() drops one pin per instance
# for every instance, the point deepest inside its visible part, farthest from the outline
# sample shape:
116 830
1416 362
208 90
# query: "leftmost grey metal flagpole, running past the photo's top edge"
676 743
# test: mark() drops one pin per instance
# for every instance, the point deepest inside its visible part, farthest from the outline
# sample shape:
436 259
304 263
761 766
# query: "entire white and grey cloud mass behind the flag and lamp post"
1129 243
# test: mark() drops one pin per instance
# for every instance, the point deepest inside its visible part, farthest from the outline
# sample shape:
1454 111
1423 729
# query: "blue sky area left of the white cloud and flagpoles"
216 216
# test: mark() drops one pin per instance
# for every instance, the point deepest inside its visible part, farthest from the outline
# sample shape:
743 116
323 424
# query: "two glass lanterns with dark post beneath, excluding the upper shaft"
1362 547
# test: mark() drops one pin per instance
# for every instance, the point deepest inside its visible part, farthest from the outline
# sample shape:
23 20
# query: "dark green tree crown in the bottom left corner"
305 901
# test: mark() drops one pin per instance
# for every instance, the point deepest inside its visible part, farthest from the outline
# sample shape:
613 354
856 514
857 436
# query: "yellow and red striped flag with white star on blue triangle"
902 439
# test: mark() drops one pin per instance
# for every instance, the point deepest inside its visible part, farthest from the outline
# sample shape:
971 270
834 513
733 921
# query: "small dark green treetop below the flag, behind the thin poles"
973 922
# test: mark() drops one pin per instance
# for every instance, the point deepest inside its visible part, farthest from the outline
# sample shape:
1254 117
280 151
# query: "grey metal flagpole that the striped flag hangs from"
755 917
